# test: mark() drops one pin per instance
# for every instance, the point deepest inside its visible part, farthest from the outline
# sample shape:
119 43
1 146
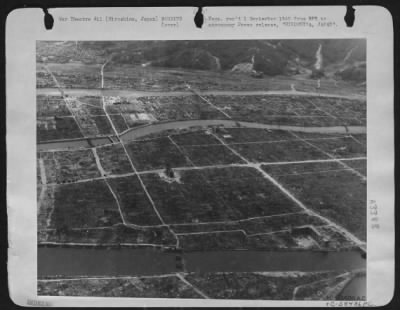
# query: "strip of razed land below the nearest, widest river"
222 285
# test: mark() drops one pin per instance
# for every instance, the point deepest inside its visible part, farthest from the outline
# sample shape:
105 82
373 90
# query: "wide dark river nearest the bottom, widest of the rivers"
138 261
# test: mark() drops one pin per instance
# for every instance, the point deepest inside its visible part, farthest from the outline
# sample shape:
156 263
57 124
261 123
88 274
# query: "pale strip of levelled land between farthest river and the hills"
76 74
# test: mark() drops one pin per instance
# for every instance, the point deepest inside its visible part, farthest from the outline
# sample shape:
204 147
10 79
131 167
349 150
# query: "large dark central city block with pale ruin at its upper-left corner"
216 195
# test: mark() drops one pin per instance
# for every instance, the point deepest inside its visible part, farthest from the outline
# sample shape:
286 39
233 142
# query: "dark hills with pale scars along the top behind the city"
344 58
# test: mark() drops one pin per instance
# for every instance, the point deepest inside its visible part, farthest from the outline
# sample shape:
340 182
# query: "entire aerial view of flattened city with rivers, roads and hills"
202 169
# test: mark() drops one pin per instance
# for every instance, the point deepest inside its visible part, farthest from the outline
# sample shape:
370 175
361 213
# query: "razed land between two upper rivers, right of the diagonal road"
299 110
